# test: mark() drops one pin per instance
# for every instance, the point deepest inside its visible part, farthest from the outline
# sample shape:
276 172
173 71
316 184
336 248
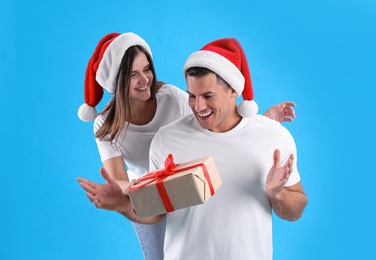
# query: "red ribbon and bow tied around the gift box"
161 175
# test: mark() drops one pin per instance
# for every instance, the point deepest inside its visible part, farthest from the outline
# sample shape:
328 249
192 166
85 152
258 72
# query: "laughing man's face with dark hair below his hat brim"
212 104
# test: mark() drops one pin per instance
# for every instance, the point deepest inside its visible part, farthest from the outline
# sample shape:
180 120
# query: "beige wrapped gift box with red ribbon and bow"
175 187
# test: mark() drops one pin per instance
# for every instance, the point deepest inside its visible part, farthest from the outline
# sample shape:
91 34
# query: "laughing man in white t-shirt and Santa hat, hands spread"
255 156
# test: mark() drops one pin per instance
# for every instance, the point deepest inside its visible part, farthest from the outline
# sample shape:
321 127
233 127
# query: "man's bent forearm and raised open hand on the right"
287 202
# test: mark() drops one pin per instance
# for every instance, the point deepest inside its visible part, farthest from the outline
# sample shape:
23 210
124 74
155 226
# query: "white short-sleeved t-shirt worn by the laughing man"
236 223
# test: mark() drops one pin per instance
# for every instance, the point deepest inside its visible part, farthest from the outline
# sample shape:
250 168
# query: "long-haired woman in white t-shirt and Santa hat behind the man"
123 65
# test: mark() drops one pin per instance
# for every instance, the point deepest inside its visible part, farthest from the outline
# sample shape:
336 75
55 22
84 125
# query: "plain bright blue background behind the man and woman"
320 54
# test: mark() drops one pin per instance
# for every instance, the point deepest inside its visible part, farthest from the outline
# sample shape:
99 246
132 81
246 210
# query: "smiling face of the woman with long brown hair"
141 78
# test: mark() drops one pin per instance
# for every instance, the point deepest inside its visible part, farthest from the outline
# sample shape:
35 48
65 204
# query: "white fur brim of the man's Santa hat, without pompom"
218 64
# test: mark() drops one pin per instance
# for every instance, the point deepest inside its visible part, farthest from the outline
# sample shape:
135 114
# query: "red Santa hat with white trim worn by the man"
227 59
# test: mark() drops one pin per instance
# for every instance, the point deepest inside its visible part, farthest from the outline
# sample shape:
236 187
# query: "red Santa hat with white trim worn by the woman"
103 69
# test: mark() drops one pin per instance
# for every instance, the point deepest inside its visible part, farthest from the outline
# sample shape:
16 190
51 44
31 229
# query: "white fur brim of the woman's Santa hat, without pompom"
108 68
